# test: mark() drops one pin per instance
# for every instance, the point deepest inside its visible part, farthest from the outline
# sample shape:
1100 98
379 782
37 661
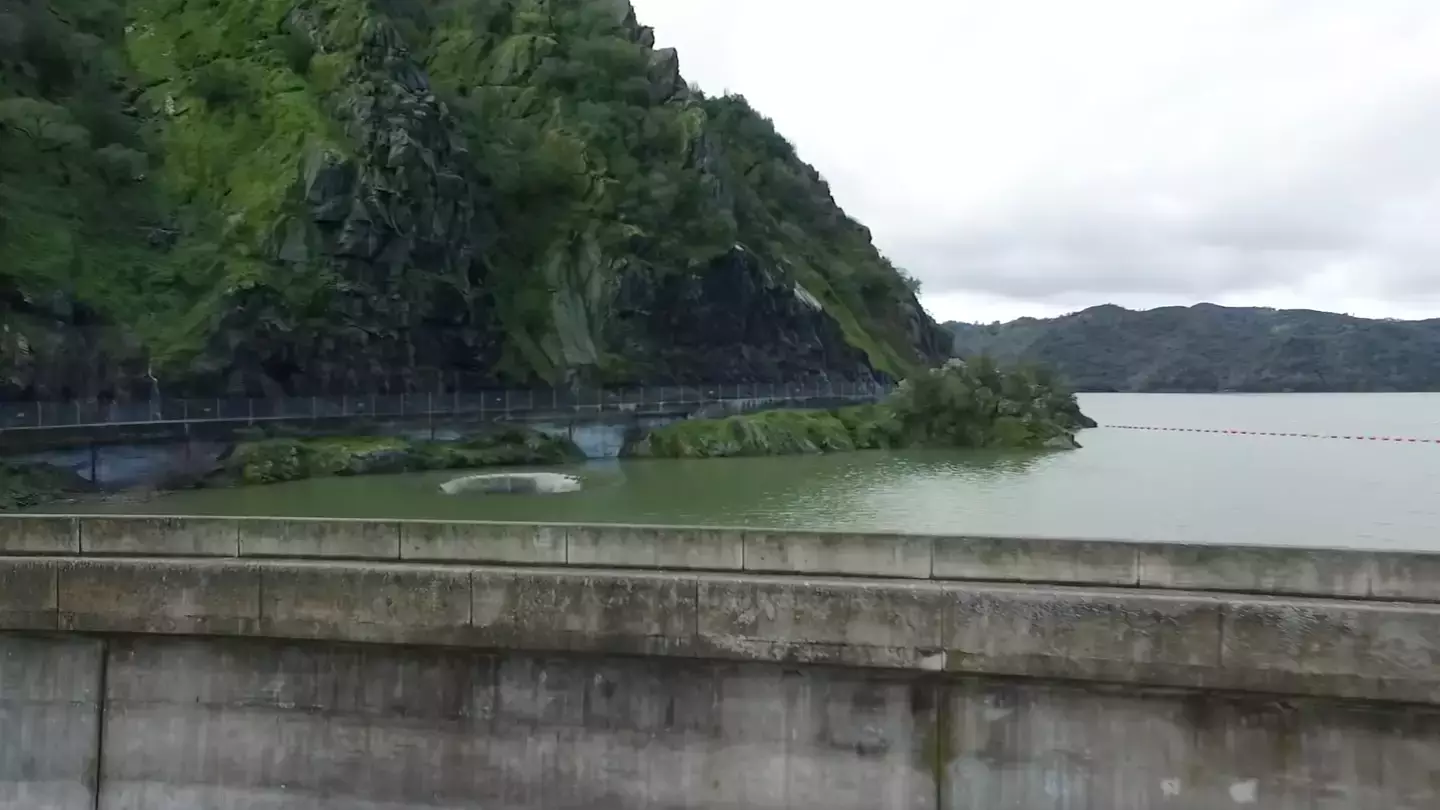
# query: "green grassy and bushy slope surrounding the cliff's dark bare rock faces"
166 138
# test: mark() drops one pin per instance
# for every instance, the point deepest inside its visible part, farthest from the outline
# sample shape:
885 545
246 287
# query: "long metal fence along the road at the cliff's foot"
44 416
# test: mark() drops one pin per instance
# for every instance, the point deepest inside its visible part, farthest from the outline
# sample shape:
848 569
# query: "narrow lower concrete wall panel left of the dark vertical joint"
50 723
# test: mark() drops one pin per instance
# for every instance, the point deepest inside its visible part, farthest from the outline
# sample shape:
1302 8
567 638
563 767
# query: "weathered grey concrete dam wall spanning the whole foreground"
166 664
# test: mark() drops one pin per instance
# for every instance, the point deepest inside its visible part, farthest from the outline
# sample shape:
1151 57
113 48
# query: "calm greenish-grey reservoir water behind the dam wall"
1135 485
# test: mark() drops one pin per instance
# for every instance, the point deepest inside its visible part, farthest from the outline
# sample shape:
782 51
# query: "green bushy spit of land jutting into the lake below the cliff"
971 406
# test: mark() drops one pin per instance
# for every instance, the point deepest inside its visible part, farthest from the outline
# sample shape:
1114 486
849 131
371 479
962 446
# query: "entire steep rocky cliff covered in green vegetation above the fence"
313 197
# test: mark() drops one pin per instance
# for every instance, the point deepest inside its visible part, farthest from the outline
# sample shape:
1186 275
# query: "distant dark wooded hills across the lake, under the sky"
1210 348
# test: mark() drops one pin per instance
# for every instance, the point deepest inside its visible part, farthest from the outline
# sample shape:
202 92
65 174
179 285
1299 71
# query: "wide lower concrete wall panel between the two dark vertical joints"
231 726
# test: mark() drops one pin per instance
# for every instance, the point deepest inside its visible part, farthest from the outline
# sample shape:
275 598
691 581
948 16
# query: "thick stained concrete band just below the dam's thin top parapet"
1288 646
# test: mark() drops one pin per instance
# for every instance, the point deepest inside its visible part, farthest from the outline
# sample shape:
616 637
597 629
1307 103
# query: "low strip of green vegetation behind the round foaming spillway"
280 460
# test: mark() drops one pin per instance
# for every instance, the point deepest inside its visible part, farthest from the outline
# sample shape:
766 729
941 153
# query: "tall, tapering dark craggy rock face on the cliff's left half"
404 227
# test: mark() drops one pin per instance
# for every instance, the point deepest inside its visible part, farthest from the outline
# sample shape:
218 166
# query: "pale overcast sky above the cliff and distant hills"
1042 156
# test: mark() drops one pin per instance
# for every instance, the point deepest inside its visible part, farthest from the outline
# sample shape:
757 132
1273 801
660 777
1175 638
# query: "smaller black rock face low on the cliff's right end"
734 324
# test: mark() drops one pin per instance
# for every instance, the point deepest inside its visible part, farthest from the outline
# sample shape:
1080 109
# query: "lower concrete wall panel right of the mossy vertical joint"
1032 746
